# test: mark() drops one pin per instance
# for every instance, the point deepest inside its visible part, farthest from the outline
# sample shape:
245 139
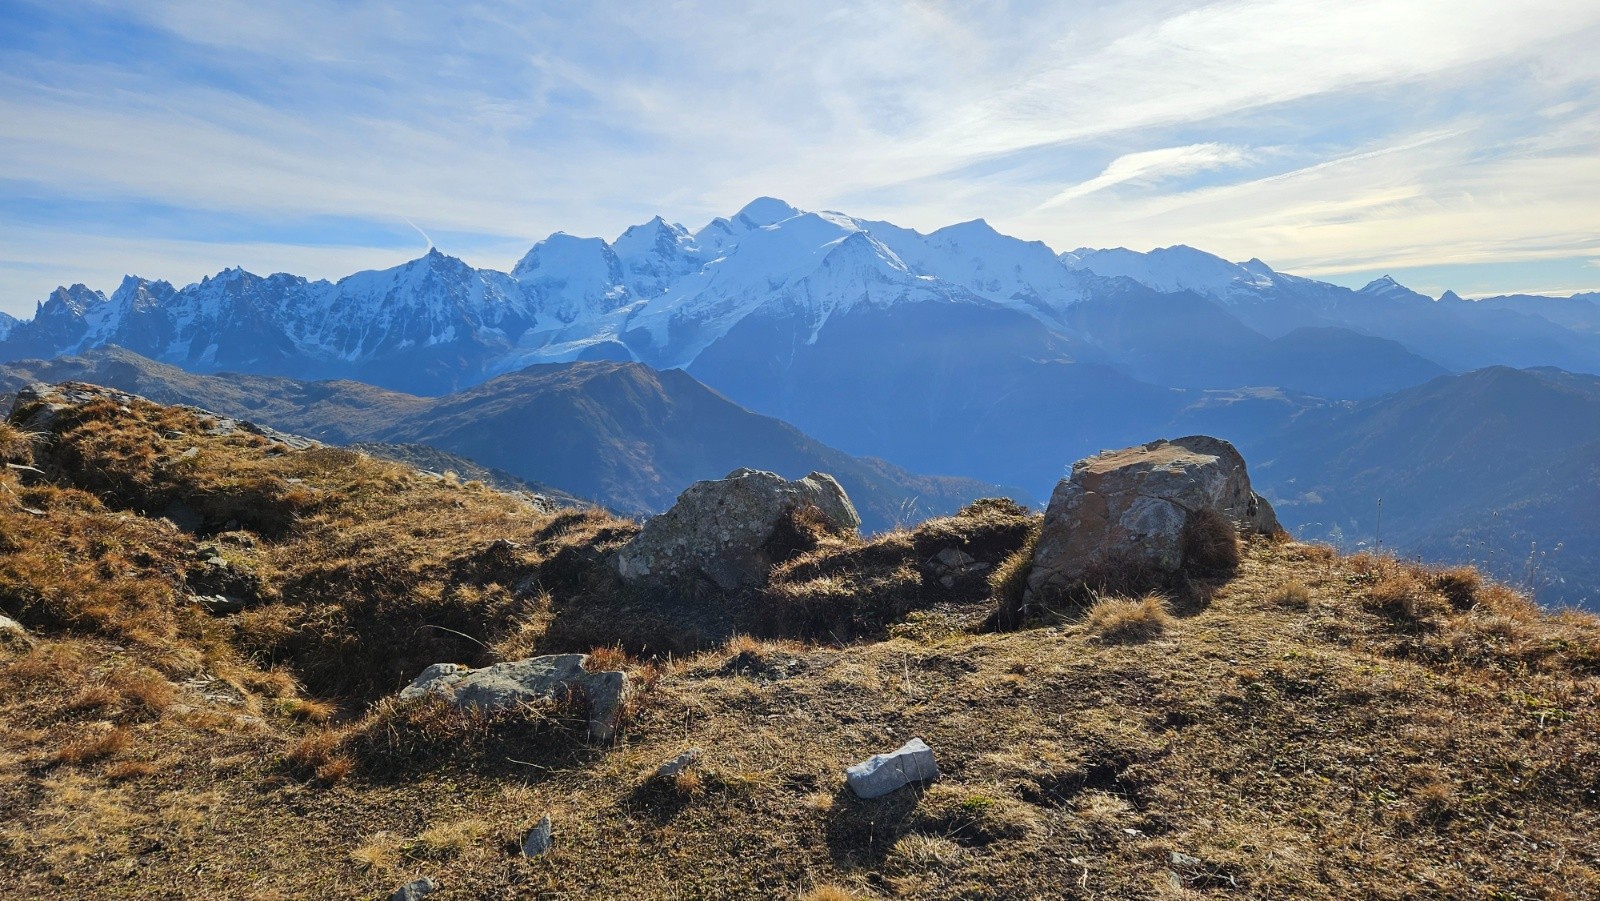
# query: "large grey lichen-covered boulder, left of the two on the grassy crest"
724 529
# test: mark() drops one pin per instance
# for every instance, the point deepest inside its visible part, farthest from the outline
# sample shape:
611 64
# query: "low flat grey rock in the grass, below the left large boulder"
506 686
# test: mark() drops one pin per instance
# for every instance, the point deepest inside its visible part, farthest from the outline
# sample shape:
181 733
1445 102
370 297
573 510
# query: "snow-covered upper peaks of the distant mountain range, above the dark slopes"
665 295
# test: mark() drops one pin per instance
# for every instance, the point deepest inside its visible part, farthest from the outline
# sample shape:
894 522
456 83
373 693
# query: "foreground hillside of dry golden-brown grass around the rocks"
1308 726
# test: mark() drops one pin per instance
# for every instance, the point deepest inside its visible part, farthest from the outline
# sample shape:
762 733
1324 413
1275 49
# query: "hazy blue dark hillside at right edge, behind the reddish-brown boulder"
1495 468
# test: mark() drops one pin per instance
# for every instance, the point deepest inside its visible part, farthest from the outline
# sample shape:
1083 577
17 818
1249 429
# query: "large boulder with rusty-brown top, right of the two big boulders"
1127 511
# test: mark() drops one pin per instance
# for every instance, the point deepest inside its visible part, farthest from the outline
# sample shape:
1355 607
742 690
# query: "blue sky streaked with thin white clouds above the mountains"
1452 145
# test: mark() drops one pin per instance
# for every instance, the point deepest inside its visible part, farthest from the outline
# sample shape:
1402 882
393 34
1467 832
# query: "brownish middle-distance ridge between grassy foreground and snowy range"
618 434
